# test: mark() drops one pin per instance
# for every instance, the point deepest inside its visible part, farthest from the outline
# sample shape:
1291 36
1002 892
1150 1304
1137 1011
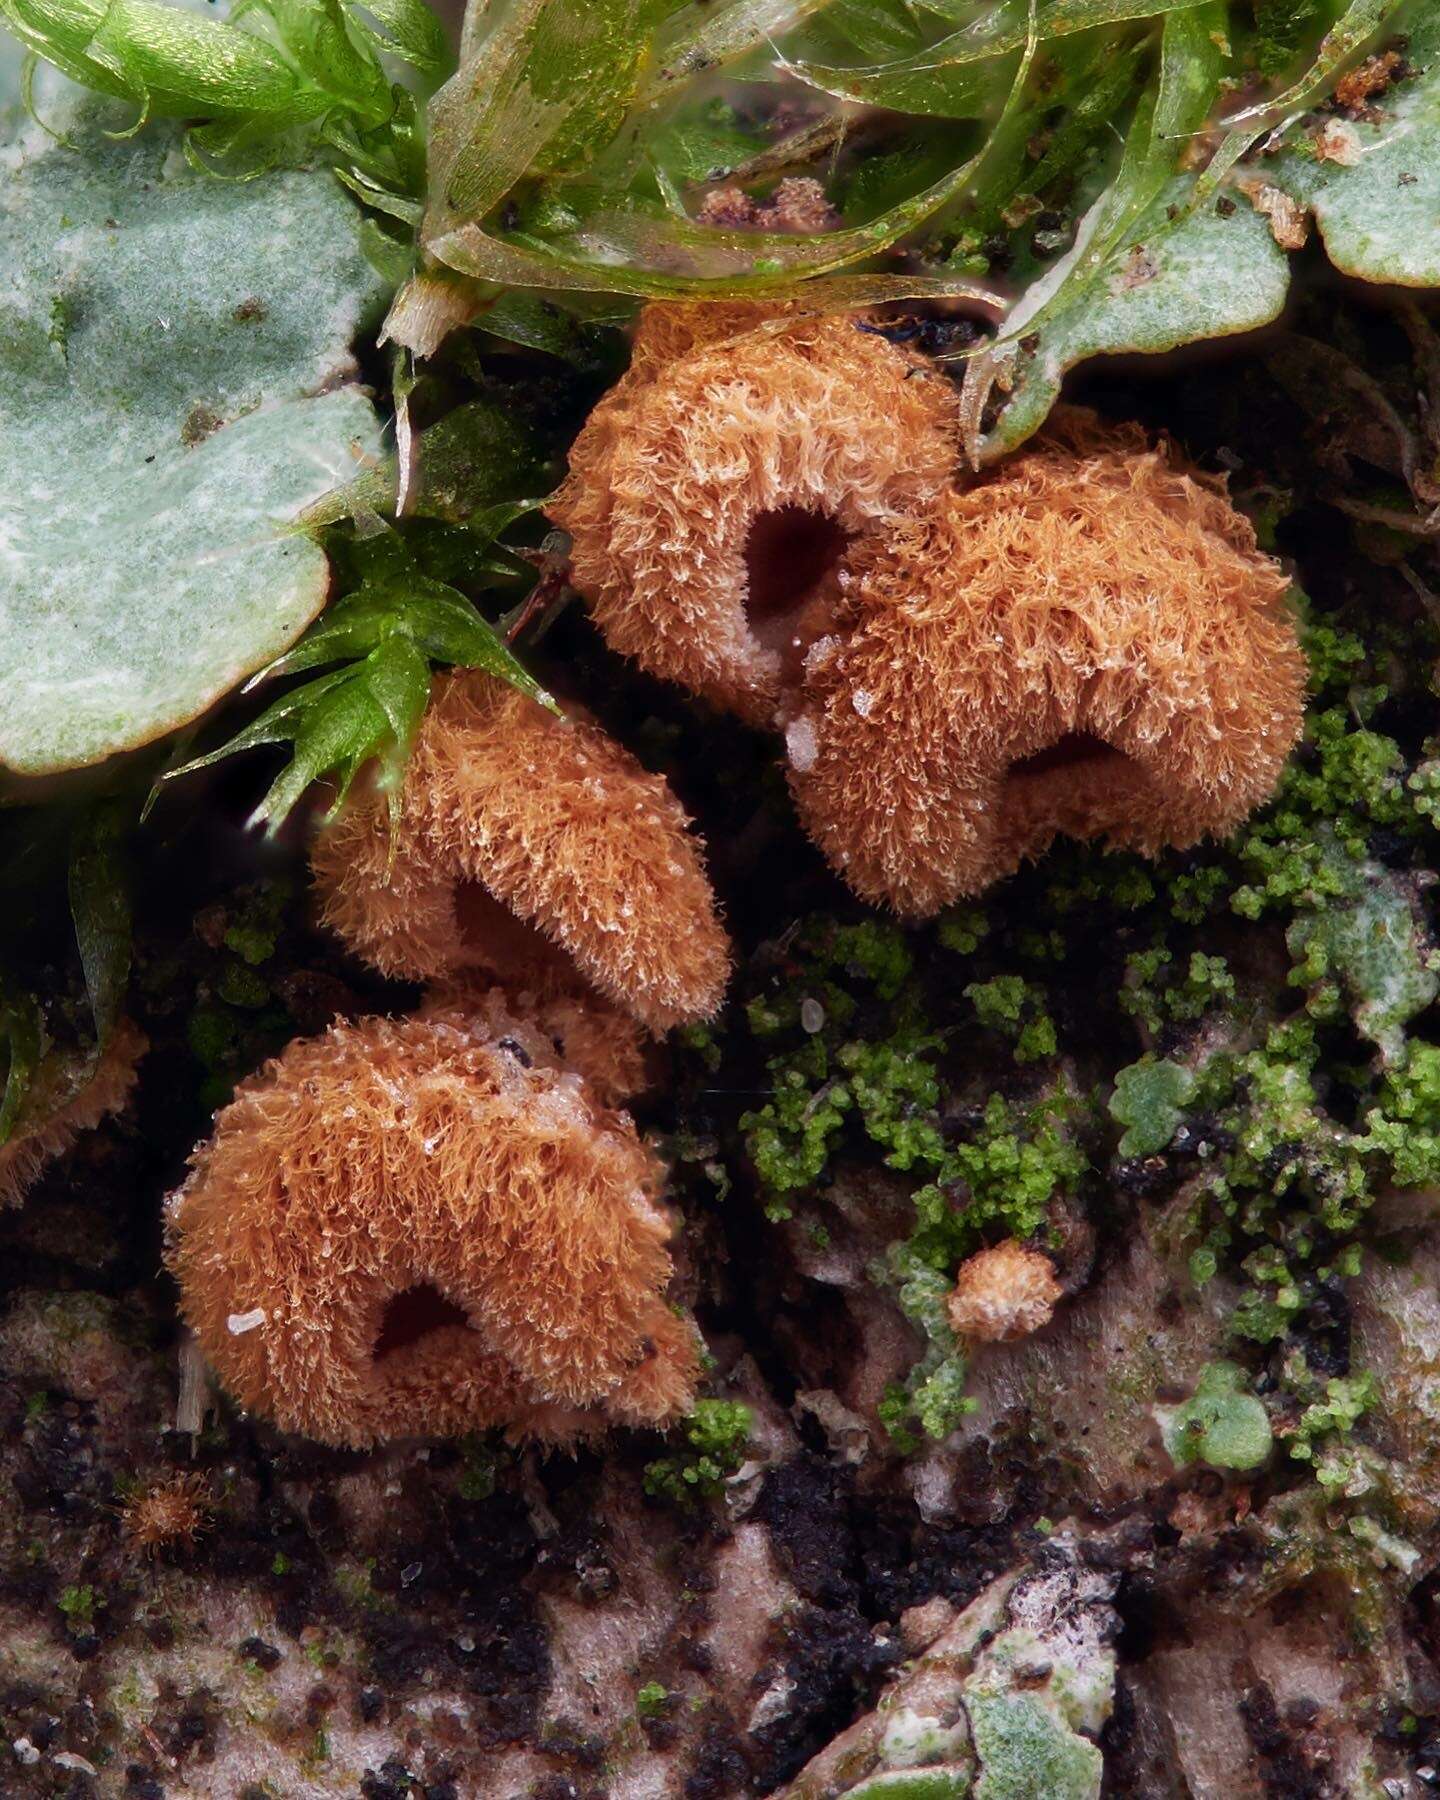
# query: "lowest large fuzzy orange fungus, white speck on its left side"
406 1228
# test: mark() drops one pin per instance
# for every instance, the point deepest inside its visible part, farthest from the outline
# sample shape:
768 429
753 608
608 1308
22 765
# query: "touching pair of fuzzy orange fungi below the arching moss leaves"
1086 642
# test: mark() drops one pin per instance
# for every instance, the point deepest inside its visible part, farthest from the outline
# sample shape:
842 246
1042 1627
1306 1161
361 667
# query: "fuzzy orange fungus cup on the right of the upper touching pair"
1086 643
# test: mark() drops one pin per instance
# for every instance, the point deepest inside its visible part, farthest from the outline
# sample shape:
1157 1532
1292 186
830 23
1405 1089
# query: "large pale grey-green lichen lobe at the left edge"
170 354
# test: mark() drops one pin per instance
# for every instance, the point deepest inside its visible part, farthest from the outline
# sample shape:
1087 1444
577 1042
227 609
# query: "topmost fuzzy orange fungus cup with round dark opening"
723 490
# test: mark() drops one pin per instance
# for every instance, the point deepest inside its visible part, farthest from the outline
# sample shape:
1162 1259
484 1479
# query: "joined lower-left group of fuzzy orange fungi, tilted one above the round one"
445 1223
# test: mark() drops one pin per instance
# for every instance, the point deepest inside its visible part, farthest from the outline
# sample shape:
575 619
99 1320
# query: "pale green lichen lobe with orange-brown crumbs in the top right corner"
1376 192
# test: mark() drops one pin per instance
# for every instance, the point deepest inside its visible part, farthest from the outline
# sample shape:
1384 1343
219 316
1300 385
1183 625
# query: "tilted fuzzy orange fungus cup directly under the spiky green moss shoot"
534 850
